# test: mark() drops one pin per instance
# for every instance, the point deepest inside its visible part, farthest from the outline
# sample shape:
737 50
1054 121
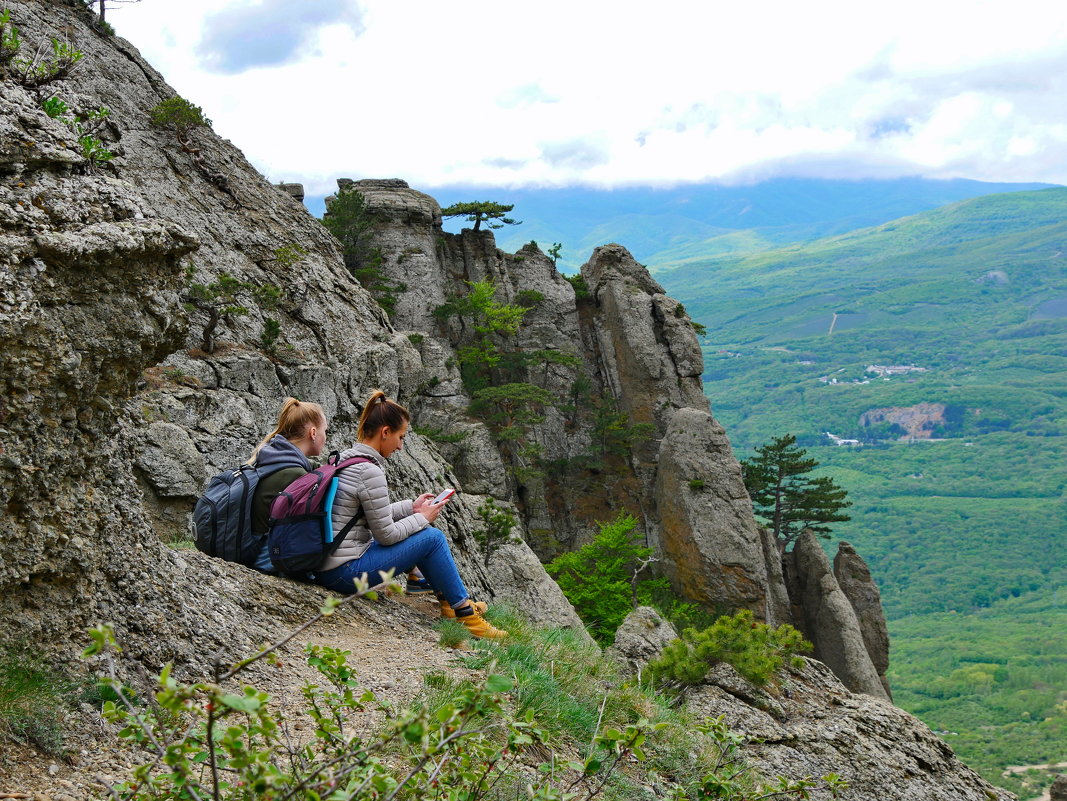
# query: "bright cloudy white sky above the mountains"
608 94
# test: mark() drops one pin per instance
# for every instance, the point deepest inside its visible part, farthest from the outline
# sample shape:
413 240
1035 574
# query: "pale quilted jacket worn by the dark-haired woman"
362 491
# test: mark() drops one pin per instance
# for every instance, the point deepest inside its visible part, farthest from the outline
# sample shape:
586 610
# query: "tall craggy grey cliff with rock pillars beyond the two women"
632 350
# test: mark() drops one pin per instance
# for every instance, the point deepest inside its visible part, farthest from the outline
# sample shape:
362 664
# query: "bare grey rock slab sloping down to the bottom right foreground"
813 726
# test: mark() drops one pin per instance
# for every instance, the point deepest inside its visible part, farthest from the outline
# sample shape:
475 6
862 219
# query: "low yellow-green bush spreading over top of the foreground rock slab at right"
755 650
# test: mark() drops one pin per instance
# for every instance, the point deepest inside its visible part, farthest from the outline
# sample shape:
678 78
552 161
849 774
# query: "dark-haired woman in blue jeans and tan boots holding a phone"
393 536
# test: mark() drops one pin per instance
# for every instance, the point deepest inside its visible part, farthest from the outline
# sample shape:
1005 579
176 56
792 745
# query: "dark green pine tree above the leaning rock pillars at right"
786 498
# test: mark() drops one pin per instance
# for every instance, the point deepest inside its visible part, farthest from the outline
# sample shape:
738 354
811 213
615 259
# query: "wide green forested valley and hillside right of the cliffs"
939 342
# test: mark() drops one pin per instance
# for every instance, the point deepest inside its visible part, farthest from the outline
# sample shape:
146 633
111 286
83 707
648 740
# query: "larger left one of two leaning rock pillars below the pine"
827 618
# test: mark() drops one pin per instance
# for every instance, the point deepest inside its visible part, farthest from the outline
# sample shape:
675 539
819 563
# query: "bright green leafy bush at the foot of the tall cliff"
603 580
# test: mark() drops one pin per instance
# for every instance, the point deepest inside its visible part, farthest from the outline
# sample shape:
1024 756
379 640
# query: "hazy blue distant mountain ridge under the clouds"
671 227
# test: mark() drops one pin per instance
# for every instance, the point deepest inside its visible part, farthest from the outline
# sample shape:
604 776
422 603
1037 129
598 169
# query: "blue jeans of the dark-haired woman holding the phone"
427 549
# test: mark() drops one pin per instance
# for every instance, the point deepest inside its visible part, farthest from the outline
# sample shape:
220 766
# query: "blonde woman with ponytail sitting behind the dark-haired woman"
281 458
